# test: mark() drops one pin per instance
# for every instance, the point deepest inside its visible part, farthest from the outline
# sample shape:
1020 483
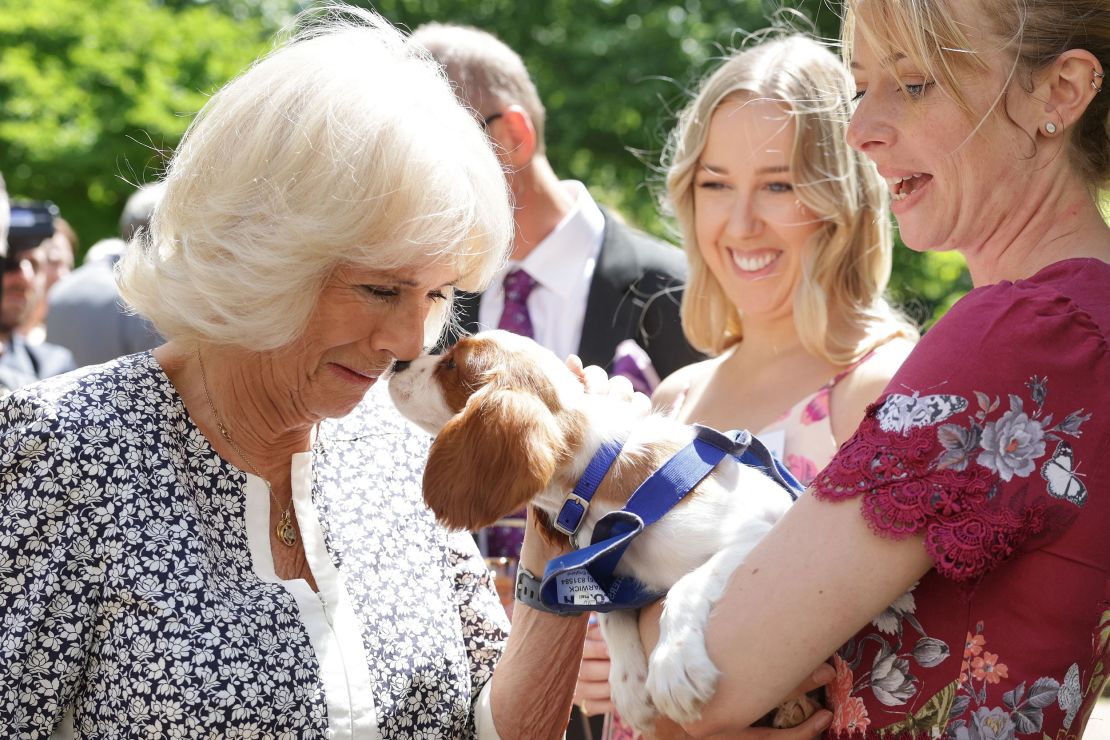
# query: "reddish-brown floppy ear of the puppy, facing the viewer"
491 460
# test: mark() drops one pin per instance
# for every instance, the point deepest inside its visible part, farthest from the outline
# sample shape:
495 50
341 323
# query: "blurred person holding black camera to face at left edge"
25 288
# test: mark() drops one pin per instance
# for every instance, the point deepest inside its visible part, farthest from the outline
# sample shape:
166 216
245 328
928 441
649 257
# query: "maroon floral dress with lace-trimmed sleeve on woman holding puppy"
991 441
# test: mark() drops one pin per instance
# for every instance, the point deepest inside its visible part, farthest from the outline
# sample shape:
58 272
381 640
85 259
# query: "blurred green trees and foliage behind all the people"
97 94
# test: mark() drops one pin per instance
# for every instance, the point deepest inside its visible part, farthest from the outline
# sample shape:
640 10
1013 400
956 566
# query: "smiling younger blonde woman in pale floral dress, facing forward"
786 232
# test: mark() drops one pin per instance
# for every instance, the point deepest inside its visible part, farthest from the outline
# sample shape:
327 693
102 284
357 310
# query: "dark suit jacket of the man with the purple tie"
635 293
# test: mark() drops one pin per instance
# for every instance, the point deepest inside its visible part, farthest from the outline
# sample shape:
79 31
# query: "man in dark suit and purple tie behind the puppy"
579 281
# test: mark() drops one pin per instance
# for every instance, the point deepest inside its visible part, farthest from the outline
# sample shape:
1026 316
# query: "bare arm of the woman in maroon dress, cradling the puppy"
811 585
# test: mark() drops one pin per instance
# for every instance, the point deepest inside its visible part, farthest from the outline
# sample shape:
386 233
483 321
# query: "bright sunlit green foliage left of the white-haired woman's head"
95 94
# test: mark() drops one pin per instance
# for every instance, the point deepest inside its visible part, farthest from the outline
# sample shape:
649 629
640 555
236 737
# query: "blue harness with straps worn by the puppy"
584 580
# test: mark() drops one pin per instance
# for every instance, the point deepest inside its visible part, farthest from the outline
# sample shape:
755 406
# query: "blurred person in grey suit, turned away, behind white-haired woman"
87 316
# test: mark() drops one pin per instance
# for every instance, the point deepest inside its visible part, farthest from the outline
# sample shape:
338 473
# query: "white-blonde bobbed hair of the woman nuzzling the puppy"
345 146
